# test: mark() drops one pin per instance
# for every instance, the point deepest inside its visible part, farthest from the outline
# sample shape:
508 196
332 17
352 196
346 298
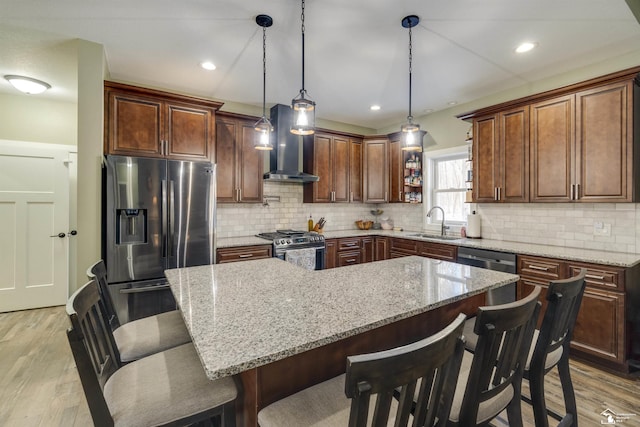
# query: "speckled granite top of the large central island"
246 314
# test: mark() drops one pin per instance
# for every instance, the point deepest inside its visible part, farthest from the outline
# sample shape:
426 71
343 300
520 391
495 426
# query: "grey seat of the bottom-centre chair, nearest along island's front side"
323 404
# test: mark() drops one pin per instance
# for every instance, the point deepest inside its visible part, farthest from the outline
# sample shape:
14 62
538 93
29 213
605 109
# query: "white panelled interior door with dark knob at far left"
34 205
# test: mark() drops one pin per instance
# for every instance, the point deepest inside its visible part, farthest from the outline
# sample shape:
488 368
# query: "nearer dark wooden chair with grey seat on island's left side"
167 388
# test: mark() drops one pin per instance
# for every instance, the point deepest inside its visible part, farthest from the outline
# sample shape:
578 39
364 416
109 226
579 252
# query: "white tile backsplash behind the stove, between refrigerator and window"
289 212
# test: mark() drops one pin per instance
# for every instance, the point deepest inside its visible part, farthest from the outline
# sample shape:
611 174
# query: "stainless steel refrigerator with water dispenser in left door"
158 214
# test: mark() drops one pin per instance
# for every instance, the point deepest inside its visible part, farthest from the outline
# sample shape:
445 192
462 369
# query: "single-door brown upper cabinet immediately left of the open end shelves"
376 170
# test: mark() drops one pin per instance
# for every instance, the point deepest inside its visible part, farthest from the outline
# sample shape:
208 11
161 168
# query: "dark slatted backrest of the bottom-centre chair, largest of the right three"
430 365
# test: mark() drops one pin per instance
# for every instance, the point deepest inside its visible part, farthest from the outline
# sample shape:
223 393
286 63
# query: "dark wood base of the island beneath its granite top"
274 381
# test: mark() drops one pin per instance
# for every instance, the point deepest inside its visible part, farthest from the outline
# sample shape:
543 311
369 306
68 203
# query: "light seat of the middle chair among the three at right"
488 408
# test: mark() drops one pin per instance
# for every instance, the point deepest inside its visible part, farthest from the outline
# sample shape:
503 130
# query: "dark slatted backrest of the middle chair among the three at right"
504 334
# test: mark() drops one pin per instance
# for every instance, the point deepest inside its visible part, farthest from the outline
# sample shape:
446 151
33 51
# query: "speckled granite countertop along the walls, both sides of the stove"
618 259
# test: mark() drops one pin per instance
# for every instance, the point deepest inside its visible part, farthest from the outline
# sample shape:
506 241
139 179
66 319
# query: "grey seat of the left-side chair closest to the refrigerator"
149 335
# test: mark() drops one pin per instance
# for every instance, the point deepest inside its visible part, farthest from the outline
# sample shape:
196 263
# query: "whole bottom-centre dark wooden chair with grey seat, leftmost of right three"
427 369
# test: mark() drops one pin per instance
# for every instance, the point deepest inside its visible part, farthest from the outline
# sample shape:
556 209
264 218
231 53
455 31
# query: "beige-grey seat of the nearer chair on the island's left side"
164 387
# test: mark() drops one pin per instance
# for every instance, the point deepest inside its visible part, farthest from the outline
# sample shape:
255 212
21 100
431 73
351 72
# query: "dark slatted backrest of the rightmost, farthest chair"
564 299
